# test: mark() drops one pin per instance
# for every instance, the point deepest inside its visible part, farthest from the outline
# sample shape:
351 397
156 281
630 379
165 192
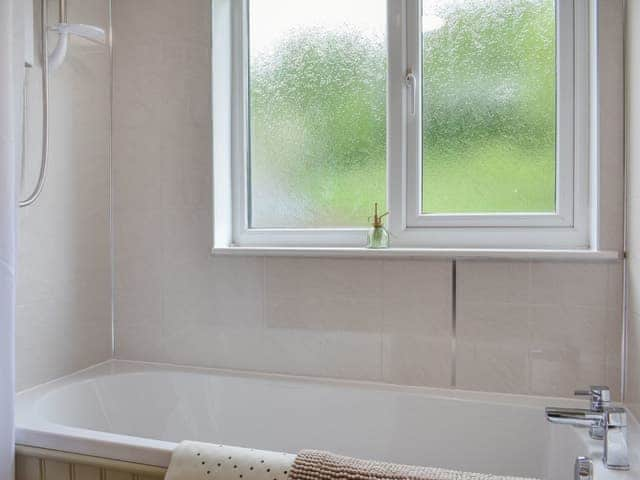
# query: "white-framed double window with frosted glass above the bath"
468 120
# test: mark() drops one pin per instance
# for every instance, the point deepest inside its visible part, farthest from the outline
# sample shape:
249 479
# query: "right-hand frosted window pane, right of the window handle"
489 106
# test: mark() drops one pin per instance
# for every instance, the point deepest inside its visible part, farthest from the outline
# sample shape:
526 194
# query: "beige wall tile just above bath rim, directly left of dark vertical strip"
415 359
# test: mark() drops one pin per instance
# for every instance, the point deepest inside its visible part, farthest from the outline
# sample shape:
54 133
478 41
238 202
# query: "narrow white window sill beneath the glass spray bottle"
351 252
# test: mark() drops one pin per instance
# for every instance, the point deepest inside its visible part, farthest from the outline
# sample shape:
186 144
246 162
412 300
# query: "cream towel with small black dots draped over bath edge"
205 461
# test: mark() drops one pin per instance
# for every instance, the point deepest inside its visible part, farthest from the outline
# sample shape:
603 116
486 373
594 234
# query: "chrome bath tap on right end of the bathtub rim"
604 421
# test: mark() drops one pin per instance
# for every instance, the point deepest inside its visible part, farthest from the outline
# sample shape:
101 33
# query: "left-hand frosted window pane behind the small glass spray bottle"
317 86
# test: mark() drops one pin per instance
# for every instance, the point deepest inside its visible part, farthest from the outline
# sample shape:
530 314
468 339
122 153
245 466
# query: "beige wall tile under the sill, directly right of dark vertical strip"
493 281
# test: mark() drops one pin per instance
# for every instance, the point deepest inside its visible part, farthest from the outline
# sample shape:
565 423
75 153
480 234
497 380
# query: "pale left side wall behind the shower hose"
63 318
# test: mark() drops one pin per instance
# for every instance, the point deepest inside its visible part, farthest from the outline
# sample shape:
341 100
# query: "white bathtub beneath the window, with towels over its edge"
136 412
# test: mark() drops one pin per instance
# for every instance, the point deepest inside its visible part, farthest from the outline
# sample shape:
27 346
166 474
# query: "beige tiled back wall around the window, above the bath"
521 327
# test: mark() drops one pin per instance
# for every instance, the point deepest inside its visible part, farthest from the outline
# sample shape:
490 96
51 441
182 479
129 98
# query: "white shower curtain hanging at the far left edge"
11 74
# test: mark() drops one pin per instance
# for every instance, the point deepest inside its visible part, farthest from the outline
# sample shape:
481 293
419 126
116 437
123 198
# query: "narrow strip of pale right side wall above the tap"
632 397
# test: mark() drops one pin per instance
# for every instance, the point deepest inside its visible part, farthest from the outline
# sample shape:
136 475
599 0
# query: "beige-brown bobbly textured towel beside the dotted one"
318 465
